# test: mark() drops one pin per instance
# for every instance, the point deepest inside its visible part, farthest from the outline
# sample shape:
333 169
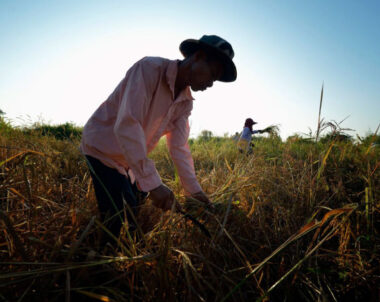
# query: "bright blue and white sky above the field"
61 59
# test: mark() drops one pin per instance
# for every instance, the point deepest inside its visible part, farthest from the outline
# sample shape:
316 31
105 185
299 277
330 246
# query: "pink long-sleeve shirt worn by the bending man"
129 124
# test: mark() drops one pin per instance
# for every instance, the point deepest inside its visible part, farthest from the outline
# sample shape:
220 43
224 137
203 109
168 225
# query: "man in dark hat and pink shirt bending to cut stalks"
152 100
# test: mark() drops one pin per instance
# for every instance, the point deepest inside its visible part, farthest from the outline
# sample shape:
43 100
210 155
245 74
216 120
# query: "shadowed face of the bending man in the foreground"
204 73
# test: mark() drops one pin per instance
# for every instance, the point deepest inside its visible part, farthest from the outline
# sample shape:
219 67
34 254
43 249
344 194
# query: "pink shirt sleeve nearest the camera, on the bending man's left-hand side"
140 82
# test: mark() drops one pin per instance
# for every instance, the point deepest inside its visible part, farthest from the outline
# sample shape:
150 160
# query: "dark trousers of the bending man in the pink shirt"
112 189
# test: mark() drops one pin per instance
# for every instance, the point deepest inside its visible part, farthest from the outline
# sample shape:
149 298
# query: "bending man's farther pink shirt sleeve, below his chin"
180 153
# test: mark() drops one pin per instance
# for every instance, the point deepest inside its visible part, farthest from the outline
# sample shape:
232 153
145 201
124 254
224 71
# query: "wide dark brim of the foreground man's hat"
190 46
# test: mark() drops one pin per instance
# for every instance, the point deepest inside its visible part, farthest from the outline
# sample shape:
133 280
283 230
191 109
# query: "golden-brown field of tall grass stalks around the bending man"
296 221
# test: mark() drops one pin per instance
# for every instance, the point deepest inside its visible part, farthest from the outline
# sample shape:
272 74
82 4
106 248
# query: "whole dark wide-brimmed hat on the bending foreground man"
222 49
